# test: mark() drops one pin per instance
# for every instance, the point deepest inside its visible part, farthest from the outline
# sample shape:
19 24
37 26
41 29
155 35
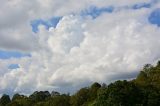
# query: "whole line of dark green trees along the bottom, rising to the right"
142 91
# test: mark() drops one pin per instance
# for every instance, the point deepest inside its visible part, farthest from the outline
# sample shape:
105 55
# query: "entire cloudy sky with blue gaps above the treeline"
64 45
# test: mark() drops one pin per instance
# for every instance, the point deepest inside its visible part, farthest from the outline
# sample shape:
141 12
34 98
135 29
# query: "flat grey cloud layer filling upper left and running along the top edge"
15 21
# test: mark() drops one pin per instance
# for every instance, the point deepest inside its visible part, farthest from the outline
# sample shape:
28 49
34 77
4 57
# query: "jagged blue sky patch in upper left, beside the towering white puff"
52 22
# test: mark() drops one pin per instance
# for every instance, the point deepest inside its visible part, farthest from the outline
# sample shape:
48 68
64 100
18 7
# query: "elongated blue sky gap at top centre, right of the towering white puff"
94 11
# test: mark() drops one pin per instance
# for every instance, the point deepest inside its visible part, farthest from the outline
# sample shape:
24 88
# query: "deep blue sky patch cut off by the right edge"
154 17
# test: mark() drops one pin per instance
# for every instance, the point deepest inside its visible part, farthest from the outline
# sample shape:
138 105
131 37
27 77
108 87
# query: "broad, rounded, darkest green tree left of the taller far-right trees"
120 93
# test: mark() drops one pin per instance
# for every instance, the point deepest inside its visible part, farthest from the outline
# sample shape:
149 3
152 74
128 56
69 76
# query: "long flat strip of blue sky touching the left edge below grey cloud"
12 54
